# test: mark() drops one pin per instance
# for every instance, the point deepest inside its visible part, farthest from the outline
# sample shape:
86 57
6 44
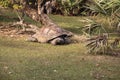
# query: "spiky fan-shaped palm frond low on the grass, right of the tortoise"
98 44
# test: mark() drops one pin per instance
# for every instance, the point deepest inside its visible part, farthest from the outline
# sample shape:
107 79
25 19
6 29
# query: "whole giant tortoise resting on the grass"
51 34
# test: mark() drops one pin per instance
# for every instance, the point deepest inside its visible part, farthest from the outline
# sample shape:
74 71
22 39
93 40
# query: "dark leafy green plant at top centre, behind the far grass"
69 7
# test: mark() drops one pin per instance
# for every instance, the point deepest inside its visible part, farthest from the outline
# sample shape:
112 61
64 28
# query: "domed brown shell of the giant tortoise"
48 33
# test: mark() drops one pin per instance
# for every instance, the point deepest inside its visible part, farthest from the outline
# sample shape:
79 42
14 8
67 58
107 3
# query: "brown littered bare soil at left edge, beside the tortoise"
13 32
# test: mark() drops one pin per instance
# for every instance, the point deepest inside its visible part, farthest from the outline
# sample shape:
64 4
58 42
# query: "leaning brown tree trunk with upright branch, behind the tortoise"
39 15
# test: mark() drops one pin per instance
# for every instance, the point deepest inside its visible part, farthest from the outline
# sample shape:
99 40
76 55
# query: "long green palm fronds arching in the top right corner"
106 7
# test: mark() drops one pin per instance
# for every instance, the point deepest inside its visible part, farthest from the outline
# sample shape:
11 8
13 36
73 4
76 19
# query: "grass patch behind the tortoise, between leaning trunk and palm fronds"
72 24
